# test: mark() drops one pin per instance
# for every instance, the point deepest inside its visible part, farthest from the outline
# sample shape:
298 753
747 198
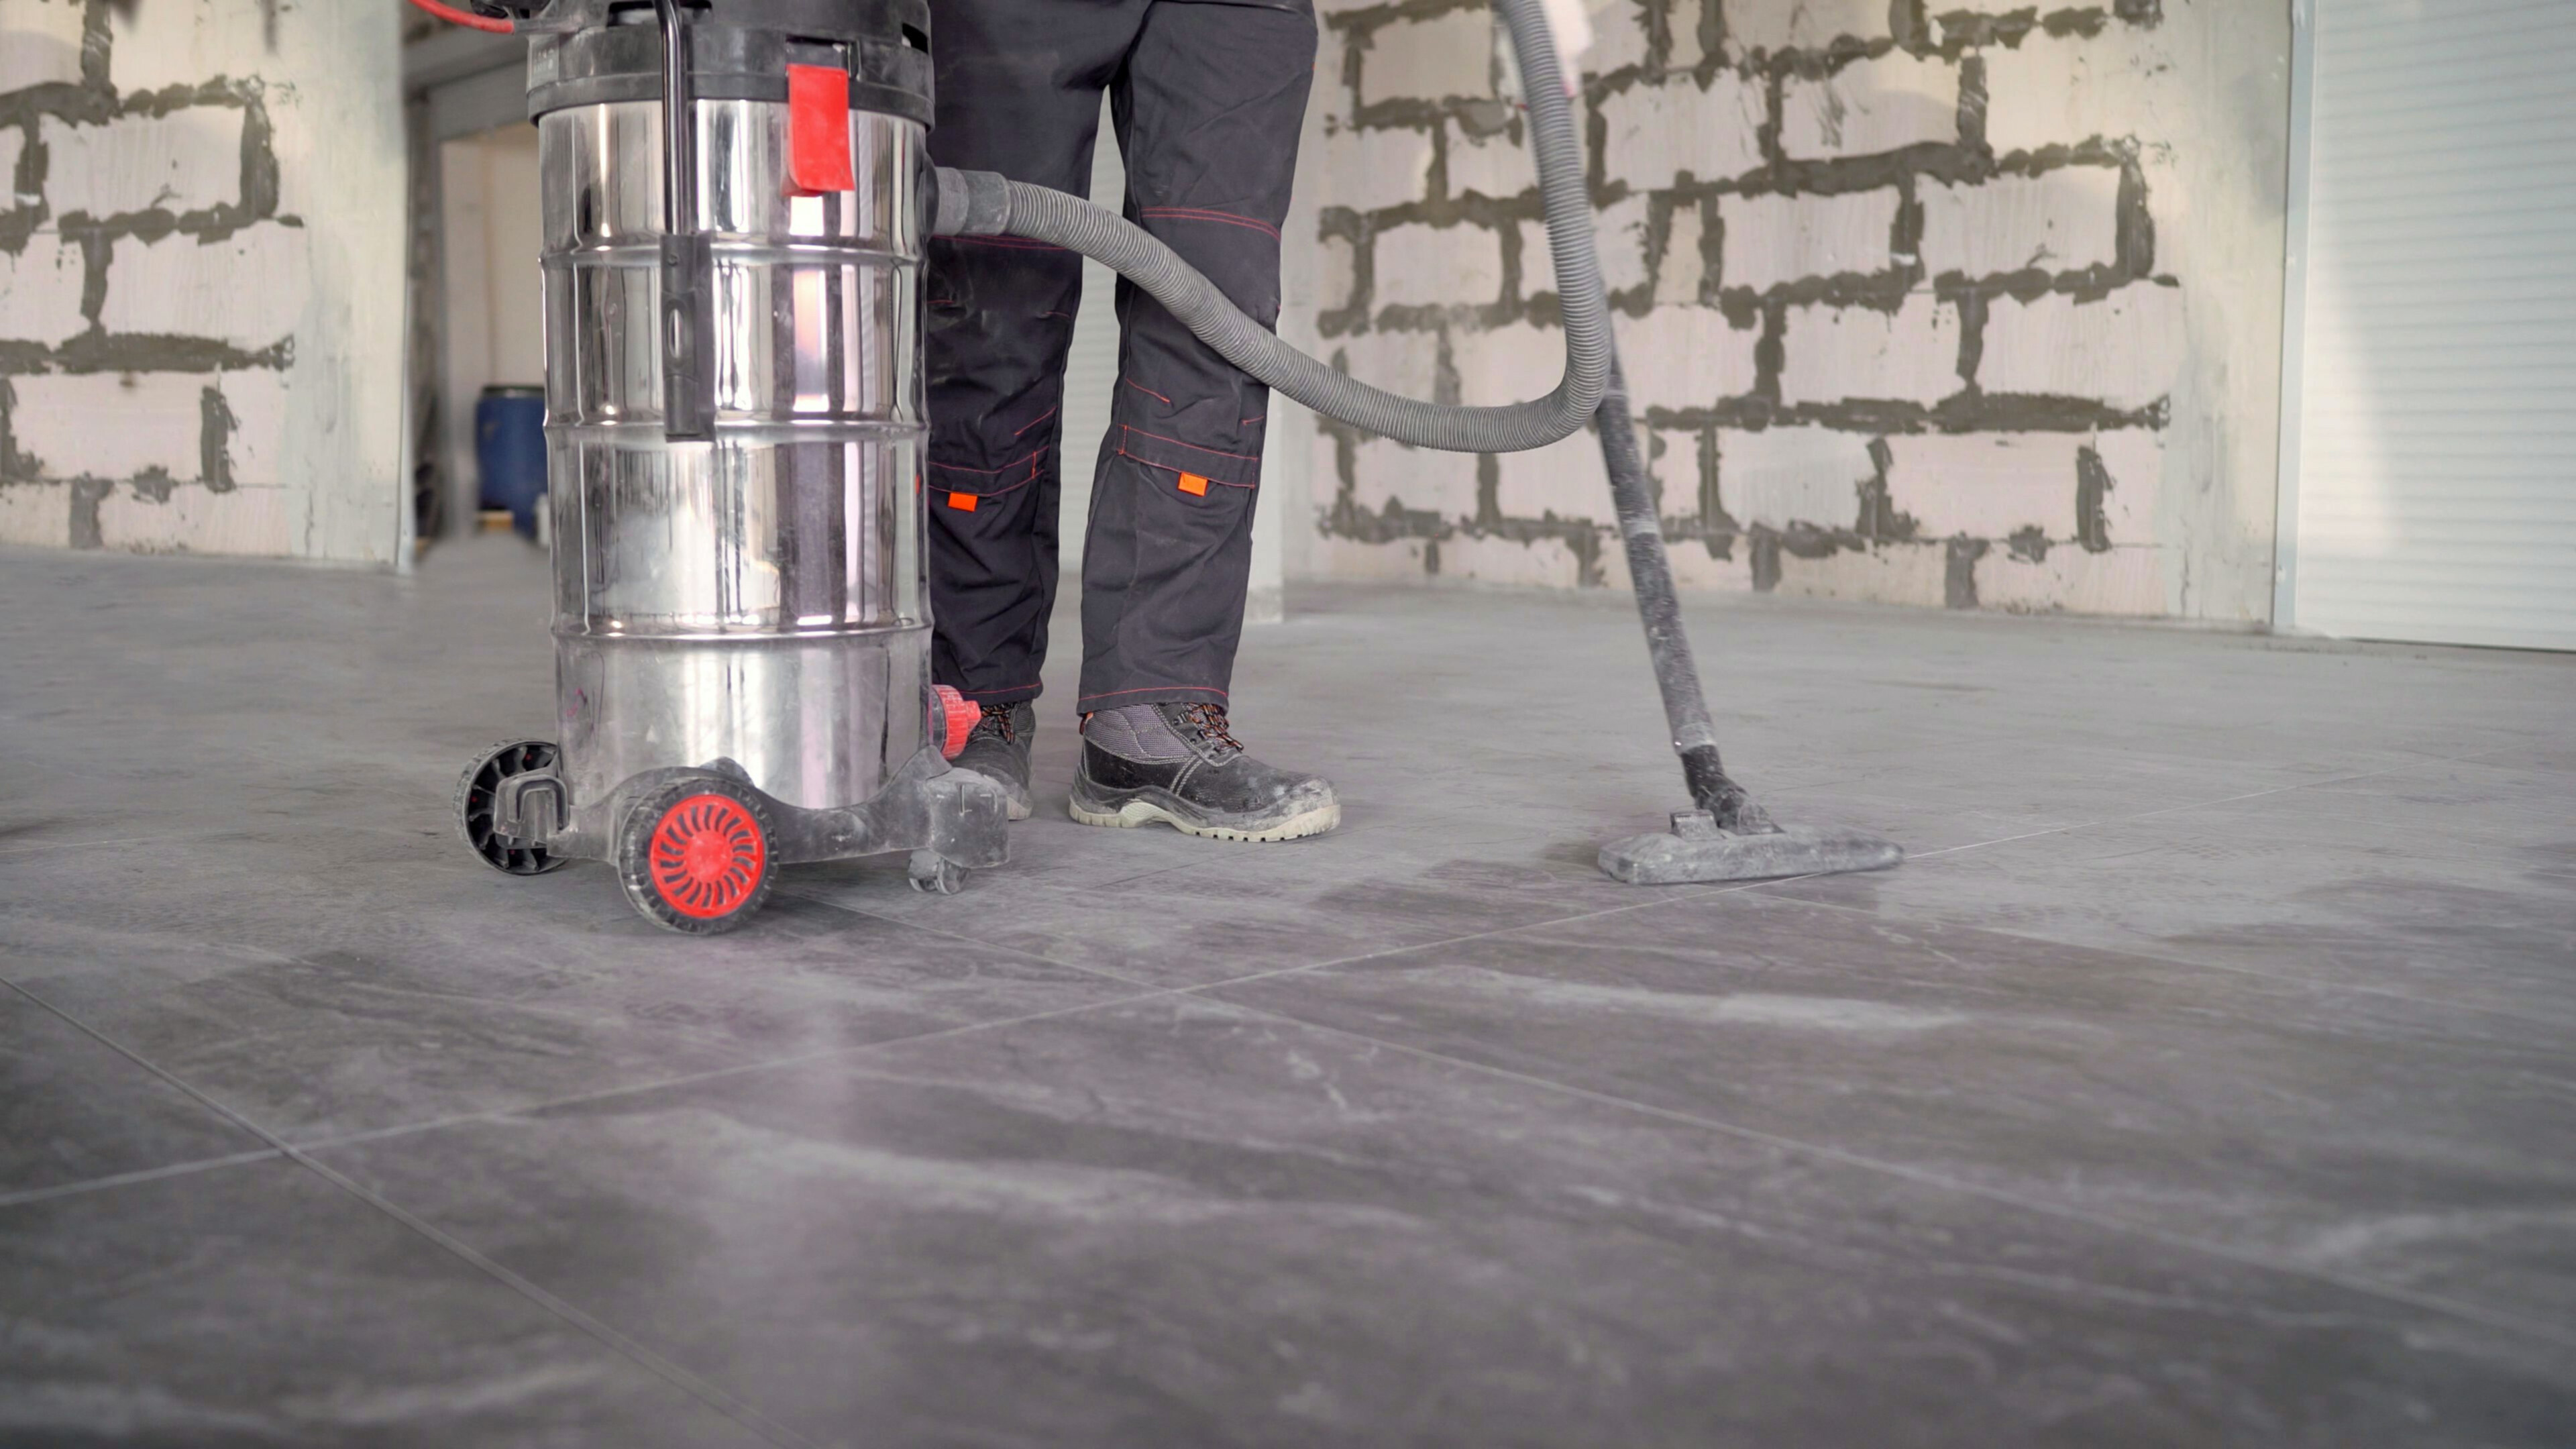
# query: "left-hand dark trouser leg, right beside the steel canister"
1019 92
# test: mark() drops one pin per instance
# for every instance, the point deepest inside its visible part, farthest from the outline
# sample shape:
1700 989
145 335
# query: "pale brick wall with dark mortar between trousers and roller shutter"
1936 303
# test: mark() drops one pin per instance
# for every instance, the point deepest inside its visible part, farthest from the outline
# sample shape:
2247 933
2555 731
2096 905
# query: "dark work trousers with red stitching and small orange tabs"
1207 99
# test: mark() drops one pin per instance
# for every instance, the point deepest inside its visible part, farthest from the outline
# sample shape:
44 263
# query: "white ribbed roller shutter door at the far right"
2436 329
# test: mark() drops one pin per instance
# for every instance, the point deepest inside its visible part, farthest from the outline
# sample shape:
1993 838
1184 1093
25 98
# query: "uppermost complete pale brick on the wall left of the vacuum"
187 161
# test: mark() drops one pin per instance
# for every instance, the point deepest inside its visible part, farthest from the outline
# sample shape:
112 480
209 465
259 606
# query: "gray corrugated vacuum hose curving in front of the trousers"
980 202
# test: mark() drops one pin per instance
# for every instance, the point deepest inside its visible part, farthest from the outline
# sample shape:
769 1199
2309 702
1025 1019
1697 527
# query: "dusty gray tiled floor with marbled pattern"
2206 1079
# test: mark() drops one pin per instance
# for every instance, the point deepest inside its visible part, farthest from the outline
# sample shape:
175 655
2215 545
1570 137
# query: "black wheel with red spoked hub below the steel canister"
697 855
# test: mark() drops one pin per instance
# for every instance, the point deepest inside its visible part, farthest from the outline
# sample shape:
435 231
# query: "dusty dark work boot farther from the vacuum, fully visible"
1179 764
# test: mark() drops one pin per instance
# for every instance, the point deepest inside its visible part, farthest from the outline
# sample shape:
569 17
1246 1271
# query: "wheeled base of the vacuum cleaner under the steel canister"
699 847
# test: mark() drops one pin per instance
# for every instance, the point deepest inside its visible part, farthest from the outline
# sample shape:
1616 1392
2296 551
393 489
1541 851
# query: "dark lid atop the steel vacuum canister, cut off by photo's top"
741 50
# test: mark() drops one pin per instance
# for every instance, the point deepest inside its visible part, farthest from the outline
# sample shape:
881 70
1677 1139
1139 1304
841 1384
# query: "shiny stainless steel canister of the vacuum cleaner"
756 597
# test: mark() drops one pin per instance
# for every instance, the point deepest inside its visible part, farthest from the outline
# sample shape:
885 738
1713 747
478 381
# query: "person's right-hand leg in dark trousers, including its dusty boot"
1209 112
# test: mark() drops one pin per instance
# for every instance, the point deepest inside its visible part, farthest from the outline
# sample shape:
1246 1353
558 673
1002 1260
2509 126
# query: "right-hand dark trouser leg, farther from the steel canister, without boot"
1209 112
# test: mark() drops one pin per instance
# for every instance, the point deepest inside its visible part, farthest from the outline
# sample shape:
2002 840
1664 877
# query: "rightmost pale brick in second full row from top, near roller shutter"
2060 220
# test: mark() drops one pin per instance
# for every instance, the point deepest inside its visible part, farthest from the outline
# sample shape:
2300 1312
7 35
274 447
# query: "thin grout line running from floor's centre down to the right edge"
1933 1180
